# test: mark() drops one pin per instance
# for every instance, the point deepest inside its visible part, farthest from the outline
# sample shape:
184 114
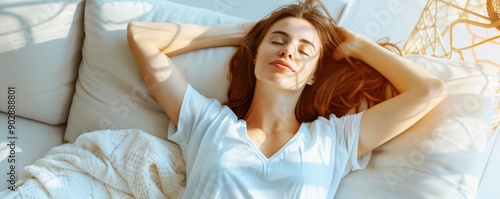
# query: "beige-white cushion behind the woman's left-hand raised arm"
110 92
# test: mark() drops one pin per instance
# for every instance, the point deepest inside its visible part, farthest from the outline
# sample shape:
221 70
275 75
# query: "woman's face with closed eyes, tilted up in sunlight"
288 54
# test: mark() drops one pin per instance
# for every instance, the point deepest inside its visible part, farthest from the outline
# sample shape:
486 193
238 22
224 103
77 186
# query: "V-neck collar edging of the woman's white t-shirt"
292 141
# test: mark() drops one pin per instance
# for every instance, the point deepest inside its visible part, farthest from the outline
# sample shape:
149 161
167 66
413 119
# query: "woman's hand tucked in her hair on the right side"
352 44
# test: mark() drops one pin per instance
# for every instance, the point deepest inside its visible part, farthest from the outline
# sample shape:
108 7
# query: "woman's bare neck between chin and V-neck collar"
272 110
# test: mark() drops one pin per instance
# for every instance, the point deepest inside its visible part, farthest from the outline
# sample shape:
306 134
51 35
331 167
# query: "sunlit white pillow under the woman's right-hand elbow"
440 156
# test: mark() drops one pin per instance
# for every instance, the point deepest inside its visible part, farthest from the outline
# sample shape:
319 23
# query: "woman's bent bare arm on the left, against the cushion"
152 43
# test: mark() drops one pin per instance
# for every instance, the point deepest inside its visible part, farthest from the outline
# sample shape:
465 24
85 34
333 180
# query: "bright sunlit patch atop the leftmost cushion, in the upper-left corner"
23 25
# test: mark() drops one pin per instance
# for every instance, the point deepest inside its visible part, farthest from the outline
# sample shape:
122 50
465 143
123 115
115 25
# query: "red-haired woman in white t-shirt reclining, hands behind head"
278 137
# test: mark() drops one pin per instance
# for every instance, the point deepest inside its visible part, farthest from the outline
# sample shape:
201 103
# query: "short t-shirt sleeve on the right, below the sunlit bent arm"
347 132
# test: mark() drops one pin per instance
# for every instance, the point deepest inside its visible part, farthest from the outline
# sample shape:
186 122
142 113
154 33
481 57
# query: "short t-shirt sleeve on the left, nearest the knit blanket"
196 115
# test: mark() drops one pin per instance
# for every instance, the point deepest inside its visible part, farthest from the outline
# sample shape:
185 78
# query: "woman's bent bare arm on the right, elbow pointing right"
420 91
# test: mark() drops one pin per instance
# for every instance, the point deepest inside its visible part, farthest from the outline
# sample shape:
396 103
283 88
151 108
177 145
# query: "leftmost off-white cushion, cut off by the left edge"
40 43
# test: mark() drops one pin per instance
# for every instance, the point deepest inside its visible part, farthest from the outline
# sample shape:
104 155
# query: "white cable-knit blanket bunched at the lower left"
106 164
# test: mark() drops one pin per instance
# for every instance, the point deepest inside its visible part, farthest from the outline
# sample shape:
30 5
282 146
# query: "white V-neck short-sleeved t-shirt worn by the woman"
223 162
